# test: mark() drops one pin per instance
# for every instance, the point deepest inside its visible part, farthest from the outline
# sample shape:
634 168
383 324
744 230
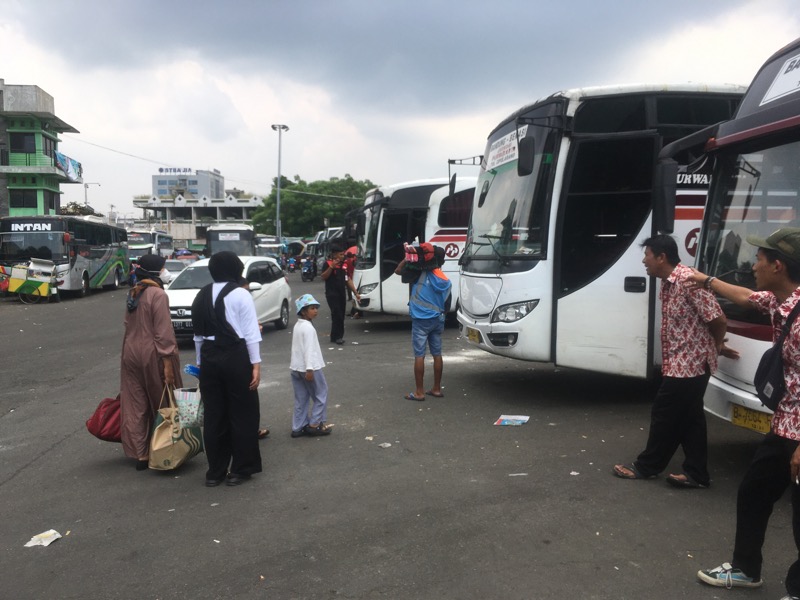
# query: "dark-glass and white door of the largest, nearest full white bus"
602 294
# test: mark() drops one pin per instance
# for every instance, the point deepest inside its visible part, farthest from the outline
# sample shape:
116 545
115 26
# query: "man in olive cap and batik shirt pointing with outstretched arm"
776 464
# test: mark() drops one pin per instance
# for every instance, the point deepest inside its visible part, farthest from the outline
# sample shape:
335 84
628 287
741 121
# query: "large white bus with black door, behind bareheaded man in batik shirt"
552 271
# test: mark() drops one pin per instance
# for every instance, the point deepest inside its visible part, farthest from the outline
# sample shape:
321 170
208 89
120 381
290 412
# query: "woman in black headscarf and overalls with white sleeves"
227 339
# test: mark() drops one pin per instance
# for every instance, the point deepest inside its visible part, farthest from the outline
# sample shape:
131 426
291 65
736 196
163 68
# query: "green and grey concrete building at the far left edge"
31 167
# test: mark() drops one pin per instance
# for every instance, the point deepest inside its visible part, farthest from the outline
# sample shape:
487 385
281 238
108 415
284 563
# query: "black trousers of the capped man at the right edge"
762 486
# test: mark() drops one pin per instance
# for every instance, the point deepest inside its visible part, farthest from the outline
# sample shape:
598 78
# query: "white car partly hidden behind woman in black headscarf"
267 284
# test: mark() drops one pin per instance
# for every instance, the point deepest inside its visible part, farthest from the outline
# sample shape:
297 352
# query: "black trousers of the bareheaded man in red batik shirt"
678 419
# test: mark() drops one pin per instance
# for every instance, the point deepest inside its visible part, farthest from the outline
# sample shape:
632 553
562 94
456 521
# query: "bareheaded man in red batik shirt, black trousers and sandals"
692 335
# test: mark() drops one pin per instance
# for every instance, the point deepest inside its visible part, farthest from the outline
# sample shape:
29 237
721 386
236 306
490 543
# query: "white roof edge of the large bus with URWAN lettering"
575 94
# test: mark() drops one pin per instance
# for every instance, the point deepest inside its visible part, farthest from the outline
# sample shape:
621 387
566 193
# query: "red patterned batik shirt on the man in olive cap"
786 421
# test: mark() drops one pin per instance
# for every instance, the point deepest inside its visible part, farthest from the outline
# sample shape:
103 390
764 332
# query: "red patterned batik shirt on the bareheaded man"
687 346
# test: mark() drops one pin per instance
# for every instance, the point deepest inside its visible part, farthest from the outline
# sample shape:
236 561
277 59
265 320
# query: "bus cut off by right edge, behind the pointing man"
754 162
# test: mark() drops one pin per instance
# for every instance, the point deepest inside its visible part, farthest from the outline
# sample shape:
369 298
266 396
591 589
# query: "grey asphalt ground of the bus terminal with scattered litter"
455 507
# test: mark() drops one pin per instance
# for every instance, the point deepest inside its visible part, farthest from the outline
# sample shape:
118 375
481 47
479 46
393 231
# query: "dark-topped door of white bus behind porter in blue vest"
399 226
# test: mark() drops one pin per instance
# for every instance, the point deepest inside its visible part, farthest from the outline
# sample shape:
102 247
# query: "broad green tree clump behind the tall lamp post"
305 206
